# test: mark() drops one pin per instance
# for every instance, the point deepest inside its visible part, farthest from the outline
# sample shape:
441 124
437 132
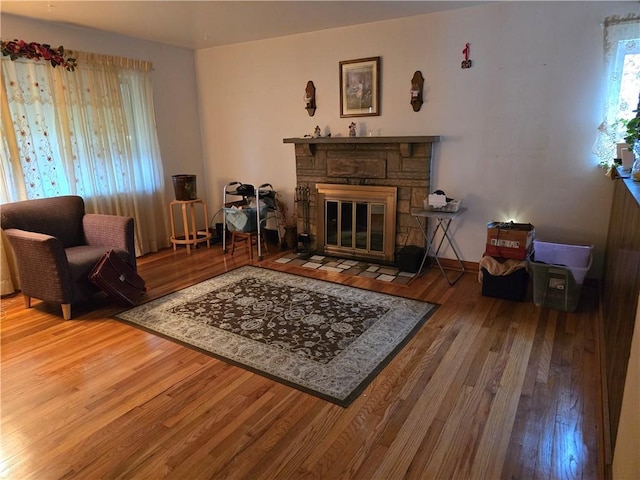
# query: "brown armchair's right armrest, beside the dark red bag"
112 231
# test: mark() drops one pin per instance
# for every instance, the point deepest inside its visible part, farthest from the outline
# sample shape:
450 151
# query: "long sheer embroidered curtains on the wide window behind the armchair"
90 132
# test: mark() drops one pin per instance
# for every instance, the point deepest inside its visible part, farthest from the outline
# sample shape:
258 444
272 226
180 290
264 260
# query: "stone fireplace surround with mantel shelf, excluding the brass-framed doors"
402 162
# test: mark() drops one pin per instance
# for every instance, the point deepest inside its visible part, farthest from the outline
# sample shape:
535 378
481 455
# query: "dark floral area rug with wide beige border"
326 339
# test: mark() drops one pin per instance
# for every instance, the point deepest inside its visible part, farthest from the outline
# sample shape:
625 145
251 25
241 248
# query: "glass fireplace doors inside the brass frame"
355 226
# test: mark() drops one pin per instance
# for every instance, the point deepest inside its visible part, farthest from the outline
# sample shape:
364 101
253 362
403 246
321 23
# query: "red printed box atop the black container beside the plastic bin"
510 240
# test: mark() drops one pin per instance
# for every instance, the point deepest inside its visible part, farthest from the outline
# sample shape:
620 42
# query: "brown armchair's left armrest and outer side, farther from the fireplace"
42 265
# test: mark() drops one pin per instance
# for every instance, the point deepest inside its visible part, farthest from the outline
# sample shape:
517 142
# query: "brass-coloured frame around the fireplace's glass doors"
358 194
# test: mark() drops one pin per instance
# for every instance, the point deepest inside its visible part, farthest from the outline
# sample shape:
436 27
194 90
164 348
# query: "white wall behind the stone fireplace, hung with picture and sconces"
517 127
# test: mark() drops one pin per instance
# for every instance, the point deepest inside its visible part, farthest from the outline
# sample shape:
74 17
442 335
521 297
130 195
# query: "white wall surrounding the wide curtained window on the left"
173 79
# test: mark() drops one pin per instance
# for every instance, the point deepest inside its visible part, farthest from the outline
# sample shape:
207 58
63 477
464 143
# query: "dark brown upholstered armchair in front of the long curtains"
56 245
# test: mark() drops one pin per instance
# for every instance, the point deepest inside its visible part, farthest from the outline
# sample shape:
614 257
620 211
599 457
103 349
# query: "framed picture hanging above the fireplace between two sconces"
360 87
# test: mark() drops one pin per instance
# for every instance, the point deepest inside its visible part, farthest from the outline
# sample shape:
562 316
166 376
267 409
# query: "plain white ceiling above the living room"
202 24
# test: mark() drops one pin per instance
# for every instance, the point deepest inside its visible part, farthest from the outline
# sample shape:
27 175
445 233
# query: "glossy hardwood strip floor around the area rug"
487 389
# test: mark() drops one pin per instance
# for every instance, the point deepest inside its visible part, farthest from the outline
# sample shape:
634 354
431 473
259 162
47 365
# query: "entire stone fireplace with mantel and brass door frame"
334 165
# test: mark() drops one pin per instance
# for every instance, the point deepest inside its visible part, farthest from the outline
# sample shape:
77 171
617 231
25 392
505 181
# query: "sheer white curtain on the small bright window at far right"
622 63
